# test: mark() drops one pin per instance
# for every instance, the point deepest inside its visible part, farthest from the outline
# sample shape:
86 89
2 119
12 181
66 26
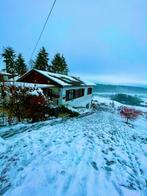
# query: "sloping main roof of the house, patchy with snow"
64 80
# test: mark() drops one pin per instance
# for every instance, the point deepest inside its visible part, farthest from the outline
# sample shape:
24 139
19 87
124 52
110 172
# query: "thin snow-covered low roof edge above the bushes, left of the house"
28 85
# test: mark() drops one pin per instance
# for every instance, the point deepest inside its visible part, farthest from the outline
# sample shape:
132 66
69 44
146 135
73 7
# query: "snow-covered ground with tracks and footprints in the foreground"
92 155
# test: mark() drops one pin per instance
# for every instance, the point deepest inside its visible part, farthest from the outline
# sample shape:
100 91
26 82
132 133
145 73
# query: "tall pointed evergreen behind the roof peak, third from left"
41 60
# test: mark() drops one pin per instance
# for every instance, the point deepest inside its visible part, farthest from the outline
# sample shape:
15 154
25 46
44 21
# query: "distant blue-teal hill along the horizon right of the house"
102 88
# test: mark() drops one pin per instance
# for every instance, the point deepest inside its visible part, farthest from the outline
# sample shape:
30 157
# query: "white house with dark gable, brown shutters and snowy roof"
62 89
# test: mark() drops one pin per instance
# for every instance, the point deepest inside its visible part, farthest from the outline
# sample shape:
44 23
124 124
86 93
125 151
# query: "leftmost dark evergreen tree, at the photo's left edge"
9 60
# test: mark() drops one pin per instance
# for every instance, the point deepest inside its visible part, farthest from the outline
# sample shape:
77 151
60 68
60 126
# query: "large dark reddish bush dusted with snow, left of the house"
24 103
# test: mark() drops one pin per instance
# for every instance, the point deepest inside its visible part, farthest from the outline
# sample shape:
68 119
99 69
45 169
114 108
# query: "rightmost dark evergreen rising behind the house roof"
59 65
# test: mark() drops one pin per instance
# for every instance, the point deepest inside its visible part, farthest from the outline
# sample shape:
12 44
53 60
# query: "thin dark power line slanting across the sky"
49 14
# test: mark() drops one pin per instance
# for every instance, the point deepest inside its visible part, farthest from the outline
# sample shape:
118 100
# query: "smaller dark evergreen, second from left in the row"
21 67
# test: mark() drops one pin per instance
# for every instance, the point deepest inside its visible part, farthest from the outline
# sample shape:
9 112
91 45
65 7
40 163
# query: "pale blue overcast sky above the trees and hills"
103 40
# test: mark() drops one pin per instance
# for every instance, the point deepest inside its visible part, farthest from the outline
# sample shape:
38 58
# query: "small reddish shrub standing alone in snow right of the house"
129 113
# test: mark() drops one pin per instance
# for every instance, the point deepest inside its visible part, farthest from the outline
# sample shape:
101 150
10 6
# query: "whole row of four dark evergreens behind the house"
15 64
